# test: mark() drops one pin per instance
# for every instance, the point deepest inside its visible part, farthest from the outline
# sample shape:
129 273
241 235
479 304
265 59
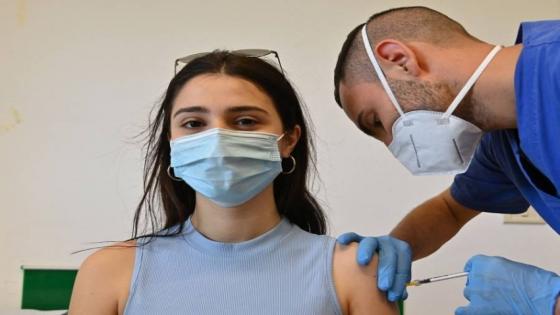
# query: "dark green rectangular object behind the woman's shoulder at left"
47 289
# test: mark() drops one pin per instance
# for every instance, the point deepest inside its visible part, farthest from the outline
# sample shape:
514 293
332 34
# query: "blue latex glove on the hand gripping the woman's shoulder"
395 259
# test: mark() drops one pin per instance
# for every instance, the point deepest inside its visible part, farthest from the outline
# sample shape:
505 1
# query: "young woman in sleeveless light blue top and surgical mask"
228 157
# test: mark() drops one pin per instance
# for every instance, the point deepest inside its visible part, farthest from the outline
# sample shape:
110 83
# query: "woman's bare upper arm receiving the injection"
356 286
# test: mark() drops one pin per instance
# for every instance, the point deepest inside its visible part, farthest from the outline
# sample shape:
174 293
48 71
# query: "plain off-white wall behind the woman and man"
79 77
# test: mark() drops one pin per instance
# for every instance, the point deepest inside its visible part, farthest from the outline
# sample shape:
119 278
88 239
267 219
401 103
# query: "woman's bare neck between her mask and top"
238 224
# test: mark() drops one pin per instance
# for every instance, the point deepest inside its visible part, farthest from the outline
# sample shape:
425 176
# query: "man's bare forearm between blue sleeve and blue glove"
427 227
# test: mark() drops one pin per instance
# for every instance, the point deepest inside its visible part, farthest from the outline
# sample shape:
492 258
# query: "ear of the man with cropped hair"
397 57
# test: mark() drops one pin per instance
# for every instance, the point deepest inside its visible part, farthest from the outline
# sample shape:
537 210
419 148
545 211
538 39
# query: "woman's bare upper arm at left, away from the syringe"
102 283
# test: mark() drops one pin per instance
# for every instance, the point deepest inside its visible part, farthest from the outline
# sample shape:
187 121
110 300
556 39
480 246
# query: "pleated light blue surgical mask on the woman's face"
226 166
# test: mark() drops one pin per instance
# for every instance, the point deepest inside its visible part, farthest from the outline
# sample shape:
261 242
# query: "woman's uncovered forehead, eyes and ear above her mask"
222 101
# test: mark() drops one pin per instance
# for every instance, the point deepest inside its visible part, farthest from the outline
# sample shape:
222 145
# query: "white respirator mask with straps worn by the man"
429 142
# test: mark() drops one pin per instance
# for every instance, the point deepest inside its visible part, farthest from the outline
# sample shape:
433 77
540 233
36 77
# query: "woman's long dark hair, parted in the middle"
176 200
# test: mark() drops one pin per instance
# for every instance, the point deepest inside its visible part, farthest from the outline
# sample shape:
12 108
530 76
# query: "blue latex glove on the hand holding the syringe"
499 286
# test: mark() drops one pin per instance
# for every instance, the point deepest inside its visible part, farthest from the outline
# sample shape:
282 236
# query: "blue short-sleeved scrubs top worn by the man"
515 168
